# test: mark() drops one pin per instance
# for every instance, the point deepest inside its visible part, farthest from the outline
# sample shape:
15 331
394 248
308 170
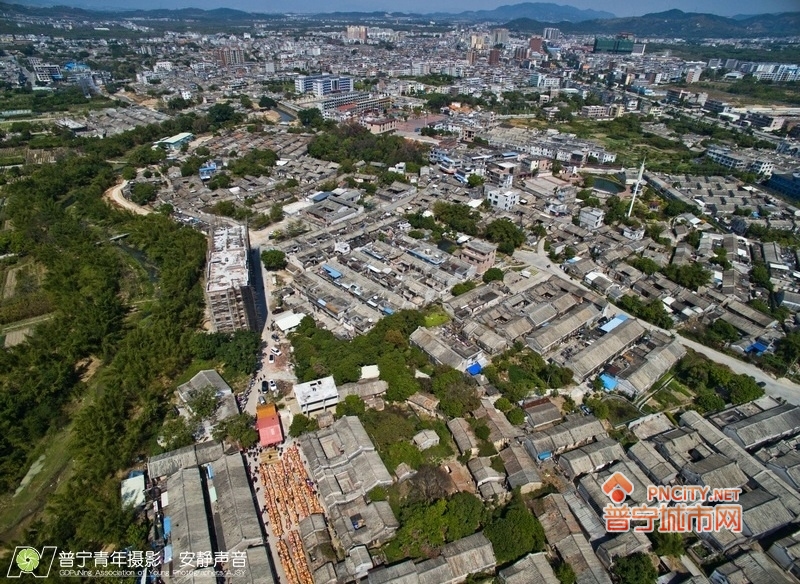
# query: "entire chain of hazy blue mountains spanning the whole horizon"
529 17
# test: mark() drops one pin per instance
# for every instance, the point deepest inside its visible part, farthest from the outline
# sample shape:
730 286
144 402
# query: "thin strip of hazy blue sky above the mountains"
618 7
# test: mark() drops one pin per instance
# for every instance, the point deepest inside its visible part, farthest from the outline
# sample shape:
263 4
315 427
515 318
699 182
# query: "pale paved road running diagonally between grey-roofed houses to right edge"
782 388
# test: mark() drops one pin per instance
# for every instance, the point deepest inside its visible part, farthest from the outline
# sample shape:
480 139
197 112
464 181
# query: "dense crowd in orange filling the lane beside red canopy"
289 497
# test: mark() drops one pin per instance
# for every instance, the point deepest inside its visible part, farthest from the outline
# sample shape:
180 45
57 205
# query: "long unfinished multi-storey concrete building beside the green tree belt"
228 290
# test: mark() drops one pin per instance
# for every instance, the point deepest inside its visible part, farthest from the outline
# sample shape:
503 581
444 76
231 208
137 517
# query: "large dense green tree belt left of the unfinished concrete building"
60 214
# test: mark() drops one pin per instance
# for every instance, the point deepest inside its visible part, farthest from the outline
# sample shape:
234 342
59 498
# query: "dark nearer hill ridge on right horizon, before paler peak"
675 23
